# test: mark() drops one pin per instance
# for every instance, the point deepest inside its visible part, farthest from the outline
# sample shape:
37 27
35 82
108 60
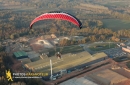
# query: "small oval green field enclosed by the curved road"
103 46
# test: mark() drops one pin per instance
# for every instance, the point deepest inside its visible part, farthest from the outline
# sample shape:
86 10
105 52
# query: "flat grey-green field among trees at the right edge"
116 24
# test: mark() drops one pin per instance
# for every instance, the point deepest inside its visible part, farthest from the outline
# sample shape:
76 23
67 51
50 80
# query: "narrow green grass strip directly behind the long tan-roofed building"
66 49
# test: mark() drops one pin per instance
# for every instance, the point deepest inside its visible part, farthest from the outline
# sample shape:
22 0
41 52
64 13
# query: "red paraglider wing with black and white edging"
60 15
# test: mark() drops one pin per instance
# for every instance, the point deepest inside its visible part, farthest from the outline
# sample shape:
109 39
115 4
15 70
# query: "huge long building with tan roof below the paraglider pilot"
69 62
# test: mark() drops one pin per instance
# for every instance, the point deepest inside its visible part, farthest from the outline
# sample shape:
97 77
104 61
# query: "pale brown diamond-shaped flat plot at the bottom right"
108 77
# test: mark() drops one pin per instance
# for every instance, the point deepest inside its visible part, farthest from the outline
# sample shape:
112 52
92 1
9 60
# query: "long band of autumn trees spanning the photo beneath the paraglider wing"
99 33
